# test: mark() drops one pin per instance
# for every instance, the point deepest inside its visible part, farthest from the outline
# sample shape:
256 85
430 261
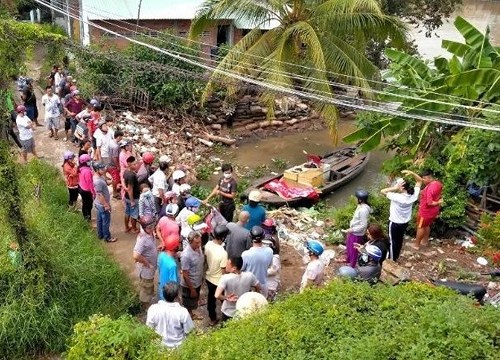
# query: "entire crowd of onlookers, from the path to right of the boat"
177 250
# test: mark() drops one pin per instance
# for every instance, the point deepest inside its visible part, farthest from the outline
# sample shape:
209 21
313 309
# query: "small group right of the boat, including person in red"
366 244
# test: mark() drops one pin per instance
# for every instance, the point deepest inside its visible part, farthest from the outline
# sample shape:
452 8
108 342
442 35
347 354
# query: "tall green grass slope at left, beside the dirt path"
65 274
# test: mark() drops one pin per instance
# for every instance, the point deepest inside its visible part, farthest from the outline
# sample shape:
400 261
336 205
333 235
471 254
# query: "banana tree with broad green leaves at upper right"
471 78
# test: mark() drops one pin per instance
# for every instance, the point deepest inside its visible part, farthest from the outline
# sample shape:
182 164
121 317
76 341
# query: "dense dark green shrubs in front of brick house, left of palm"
170 82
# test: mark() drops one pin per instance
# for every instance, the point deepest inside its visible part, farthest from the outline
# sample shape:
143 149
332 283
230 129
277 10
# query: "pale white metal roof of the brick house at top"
150 9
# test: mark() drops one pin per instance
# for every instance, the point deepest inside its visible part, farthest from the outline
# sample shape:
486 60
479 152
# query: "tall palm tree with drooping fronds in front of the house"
311 39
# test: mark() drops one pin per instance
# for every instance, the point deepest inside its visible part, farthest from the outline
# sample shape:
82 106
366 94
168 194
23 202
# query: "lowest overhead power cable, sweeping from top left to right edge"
287 90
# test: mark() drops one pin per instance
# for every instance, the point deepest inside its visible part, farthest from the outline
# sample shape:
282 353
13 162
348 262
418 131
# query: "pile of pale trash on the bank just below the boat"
296 226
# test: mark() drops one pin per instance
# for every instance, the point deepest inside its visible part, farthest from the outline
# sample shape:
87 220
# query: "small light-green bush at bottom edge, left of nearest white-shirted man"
124 338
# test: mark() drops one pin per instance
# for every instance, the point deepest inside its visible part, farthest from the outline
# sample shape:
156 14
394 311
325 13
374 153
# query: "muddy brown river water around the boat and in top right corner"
290 147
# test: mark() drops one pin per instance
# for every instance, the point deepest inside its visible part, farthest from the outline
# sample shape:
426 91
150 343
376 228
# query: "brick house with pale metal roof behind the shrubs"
130 17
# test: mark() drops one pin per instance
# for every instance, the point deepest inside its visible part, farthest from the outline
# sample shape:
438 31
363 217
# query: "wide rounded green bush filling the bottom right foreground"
356 321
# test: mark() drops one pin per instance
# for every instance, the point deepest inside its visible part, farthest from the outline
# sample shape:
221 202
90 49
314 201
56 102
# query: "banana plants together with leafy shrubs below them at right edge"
466 87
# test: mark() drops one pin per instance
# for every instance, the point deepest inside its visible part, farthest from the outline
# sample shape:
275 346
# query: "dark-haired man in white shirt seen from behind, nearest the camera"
169 319
